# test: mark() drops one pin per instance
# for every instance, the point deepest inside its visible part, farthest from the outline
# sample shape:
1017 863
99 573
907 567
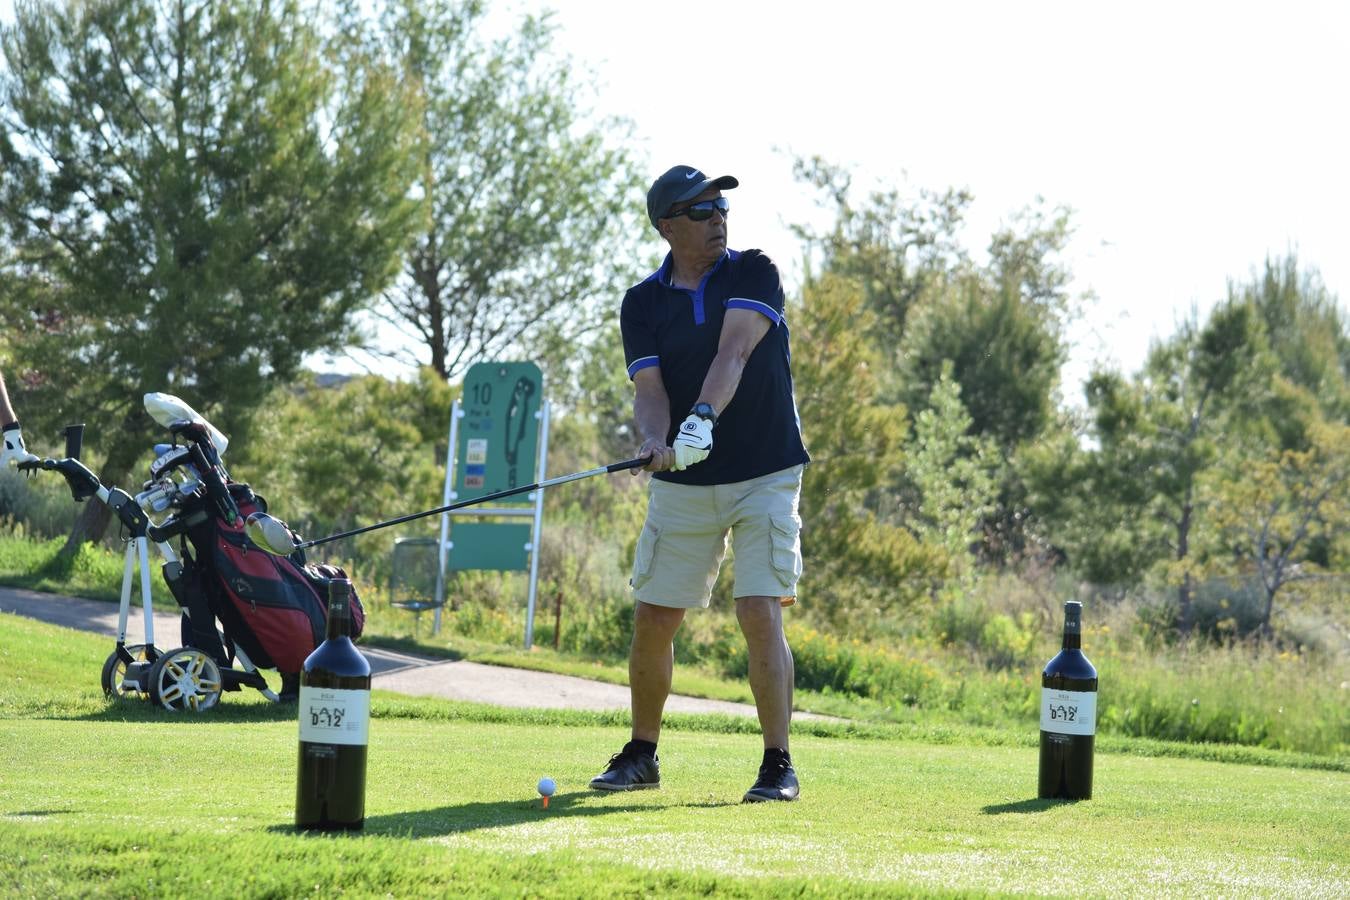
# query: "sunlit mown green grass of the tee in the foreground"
118 799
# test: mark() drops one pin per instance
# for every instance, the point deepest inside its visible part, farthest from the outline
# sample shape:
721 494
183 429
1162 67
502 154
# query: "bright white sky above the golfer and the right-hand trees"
1193 140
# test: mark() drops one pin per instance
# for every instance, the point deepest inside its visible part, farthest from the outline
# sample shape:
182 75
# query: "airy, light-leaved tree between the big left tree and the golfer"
530 207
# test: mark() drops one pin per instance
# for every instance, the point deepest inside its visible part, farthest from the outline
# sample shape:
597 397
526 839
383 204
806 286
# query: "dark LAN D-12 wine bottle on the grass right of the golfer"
1069 717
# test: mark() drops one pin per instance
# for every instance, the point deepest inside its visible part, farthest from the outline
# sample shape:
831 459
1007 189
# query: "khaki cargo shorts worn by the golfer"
684 540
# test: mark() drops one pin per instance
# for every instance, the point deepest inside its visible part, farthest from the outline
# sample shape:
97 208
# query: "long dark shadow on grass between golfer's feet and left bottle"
470 817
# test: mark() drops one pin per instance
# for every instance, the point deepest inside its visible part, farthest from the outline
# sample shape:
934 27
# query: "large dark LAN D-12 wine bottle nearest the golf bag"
334 727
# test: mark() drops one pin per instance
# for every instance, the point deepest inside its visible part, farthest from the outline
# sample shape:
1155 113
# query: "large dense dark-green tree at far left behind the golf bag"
194 203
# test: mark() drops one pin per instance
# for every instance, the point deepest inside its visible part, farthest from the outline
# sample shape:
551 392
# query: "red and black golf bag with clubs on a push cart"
272 609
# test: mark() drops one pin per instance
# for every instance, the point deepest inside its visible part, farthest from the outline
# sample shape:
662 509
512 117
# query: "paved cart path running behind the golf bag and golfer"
392 671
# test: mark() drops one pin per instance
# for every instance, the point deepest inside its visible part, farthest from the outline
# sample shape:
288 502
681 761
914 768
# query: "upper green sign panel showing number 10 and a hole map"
500 430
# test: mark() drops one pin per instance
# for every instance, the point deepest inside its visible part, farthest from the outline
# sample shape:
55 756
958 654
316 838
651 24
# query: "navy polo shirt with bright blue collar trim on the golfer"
678 330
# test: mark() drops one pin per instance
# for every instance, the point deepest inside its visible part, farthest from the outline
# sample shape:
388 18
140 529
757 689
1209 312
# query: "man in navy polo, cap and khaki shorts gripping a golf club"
707 347
